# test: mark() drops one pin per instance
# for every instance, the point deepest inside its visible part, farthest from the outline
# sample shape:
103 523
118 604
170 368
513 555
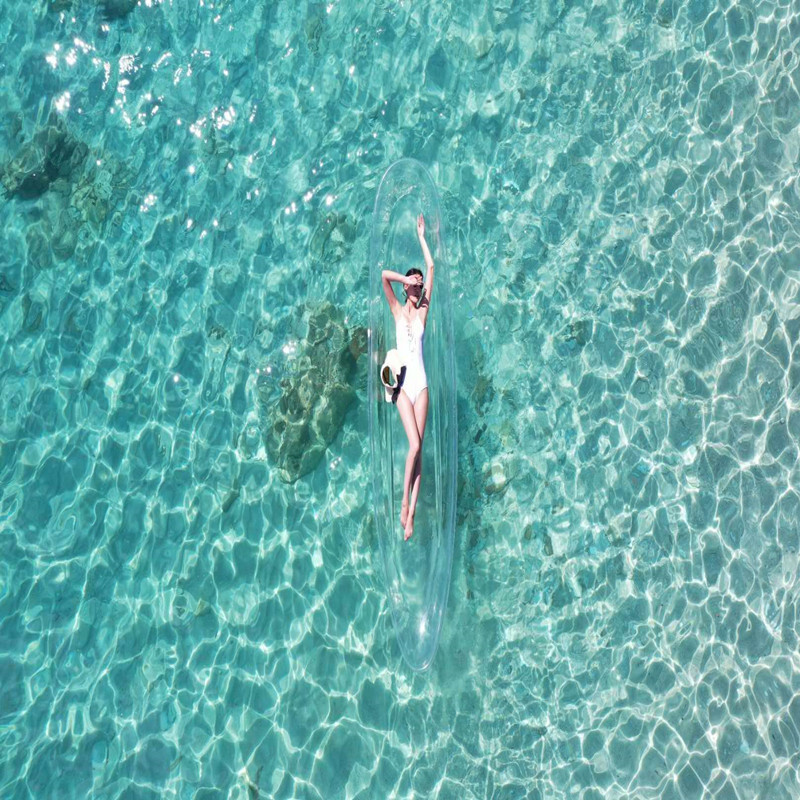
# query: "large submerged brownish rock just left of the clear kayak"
315 398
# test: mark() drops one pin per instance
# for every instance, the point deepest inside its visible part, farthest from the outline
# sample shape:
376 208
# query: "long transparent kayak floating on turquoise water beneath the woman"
416 572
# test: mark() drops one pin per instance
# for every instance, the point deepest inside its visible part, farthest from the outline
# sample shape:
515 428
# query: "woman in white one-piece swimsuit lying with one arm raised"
412 401
